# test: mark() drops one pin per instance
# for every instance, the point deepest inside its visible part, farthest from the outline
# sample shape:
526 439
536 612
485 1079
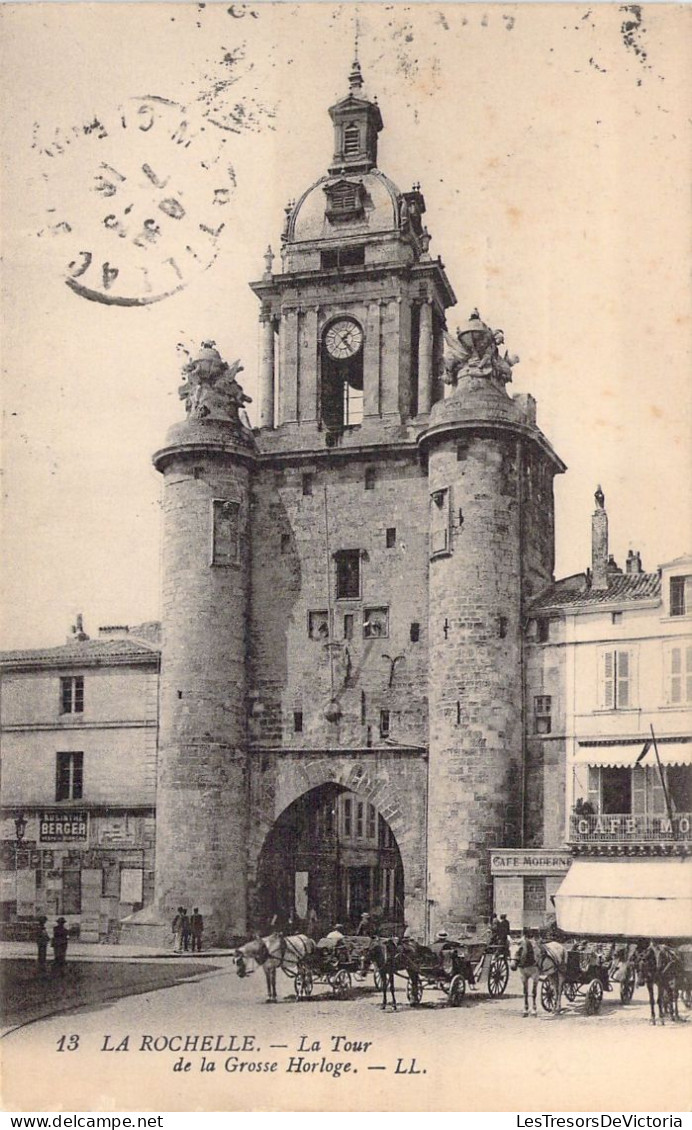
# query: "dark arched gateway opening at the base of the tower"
330 858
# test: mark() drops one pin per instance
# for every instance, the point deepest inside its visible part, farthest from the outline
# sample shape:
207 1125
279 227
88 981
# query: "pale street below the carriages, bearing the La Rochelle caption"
483 1056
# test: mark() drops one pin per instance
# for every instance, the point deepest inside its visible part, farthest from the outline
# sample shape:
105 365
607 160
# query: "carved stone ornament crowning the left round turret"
211 390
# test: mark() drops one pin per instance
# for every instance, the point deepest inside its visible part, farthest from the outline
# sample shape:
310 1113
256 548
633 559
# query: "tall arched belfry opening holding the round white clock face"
342 375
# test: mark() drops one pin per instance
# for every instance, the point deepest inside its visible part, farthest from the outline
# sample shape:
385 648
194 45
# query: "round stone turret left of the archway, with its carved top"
203 775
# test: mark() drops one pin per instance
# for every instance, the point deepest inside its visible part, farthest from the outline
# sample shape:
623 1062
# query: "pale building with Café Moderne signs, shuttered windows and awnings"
609 766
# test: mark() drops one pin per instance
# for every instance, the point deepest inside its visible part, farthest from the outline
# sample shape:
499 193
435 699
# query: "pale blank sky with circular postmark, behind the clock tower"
552 144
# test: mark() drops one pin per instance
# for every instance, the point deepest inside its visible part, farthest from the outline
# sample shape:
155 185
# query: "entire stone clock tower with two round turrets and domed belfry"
345 587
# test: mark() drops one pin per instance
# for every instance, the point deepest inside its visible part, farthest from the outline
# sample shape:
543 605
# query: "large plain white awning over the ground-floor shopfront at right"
632 898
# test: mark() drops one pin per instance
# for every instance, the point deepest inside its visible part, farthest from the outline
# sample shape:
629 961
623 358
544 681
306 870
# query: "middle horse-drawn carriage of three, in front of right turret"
454 966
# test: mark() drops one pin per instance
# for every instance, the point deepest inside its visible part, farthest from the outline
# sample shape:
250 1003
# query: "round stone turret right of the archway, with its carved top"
491 546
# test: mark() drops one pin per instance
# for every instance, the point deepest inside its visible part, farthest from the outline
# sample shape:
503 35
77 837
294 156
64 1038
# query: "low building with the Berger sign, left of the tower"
79 733
